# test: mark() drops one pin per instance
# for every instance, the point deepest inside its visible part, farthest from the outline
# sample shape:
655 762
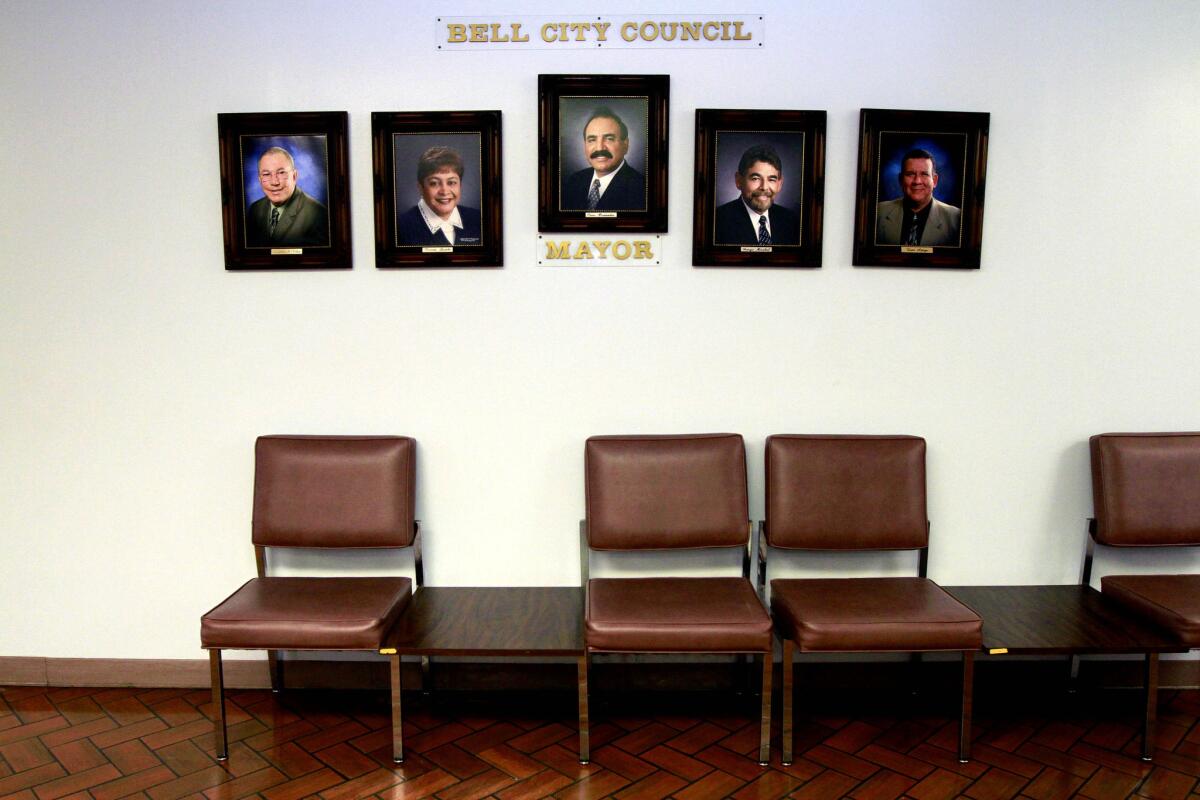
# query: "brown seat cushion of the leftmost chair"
308 615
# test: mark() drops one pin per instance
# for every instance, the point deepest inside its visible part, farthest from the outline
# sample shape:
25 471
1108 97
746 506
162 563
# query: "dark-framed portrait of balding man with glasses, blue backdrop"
285 191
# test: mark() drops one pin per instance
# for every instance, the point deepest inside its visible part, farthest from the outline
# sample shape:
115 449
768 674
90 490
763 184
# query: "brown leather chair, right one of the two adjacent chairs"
859 494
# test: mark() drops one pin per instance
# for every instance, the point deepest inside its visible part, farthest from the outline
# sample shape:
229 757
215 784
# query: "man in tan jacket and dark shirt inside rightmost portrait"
917 218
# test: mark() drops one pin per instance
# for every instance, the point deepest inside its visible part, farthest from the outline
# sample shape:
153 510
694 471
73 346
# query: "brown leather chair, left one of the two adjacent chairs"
658 494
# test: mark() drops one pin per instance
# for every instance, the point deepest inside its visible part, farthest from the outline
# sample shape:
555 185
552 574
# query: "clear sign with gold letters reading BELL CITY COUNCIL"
592 33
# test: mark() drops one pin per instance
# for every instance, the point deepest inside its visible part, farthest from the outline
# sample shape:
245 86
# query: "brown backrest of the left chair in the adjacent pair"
667 492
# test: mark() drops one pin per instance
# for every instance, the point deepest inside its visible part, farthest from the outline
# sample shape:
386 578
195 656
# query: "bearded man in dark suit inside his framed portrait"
754 218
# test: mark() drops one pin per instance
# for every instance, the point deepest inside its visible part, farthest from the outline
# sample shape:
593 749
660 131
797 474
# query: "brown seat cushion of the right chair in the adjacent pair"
873 616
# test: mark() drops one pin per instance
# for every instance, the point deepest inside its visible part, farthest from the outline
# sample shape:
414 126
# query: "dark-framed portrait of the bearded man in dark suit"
760 189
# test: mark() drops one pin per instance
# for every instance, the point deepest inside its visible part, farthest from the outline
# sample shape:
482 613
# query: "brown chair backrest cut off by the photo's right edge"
1147 489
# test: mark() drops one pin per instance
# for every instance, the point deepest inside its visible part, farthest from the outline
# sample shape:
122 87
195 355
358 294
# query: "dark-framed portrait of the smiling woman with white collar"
437 189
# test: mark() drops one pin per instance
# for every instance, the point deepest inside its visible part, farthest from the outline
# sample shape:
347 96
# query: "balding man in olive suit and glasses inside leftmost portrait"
286 216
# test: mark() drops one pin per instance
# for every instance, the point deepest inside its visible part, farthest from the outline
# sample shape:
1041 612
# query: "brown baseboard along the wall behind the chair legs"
533 676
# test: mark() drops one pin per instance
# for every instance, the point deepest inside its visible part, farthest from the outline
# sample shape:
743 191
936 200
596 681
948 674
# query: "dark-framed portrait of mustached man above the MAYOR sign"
603 153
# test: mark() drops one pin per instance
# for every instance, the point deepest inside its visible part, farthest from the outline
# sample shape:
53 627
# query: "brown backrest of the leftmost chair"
334 491
